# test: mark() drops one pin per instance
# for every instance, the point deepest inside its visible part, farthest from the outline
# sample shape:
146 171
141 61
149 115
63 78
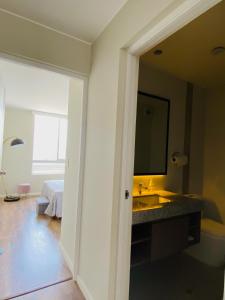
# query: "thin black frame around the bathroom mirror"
167 135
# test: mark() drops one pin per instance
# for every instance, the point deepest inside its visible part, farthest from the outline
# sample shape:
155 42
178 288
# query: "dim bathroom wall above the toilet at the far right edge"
214 156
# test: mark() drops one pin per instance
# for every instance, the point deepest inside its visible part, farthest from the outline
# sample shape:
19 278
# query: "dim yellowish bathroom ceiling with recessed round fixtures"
187 53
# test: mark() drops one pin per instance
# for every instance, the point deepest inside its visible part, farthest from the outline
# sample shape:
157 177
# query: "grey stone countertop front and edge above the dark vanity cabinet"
181 205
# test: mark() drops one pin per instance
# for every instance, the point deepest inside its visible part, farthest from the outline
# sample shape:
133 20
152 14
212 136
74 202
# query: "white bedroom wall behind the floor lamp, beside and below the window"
17 161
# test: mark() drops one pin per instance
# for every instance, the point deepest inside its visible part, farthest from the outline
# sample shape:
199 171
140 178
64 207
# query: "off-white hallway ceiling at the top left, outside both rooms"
83 19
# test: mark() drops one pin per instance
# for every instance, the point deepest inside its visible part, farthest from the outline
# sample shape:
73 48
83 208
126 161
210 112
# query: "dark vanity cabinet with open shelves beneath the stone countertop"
153 241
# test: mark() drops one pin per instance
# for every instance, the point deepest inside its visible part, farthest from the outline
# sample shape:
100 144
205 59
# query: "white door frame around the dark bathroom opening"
183 14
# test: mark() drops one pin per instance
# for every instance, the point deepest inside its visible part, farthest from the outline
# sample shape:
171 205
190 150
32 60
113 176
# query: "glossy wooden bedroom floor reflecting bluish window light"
30 258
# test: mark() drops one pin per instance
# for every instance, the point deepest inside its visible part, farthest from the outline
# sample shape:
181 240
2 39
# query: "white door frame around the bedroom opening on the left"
82 143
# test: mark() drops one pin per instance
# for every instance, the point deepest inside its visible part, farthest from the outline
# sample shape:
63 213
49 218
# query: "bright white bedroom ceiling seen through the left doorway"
31 88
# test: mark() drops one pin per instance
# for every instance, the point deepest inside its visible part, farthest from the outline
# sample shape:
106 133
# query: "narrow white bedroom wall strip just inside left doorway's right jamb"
70 218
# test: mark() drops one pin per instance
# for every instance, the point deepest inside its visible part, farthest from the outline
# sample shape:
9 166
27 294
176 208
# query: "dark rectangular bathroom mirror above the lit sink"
152 128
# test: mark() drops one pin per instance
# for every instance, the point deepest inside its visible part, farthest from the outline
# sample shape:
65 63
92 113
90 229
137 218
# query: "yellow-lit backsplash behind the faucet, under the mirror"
150 184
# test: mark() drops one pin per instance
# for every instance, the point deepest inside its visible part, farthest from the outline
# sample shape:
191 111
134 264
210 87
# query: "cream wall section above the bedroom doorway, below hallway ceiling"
22 38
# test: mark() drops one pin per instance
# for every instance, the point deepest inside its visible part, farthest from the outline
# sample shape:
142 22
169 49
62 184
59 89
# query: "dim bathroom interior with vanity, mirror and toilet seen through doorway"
181 161
